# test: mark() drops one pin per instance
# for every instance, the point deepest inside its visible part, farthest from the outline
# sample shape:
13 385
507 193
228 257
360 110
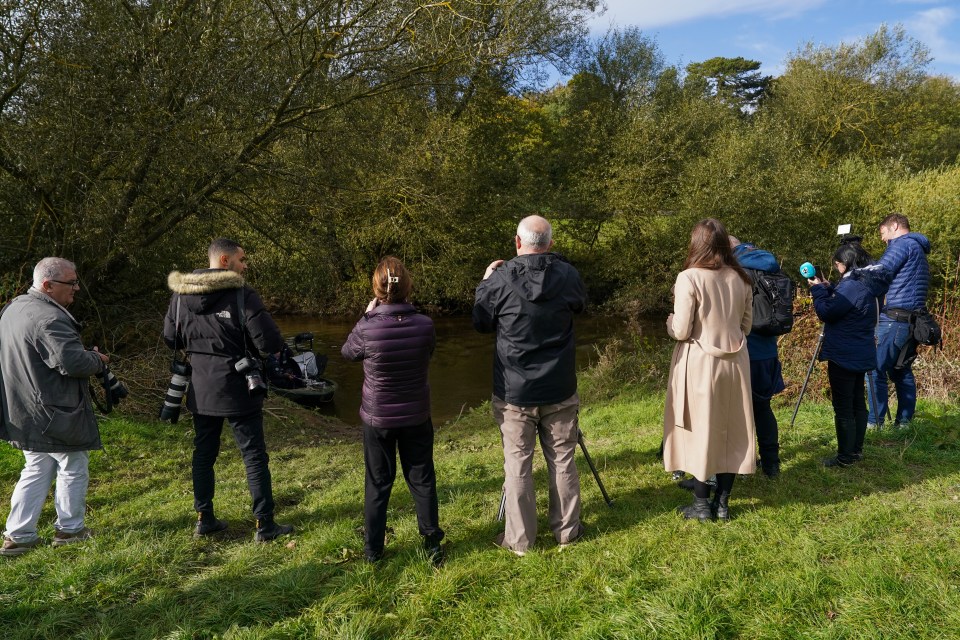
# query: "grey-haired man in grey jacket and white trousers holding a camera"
47 410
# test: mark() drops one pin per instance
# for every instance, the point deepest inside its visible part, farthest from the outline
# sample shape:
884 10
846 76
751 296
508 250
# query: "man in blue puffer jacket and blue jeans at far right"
905 264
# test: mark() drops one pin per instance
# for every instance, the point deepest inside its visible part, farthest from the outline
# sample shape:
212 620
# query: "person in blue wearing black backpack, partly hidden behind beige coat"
766 379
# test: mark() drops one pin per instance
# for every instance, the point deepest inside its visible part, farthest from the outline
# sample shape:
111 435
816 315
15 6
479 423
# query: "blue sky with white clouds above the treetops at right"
770 30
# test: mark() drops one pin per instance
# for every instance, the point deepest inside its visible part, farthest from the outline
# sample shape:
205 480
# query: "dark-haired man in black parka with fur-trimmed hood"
204 319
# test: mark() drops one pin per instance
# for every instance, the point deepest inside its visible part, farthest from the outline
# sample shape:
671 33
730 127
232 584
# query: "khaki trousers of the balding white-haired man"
557 427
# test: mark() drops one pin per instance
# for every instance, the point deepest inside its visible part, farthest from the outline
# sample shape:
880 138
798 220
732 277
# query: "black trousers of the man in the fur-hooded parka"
248 432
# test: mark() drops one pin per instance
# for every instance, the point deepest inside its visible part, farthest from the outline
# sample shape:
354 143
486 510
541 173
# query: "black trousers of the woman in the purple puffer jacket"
380 447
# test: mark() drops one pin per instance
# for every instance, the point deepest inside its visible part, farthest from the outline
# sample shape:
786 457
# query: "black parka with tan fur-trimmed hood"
210 332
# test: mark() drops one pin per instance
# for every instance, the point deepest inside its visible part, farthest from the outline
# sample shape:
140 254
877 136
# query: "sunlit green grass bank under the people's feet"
866 552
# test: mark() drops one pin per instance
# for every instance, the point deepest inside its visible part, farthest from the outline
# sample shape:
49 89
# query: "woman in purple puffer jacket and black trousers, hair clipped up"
395 342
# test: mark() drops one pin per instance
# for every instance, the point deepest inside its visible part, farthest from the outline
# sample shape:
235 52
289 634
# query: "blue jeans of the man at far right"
891 336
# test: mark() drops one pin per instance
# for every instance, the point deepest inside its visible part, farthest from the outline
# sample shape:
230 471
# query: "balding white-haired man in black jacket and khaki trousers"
530 302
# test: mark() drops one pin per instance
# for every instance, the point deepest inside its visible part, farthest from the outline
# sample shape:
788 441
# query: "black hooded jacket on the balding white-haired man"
529 302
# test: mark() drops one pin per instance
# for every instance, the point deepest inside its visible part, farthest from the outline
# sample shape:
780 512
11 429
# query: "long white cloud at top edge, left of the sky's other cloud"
647 14
